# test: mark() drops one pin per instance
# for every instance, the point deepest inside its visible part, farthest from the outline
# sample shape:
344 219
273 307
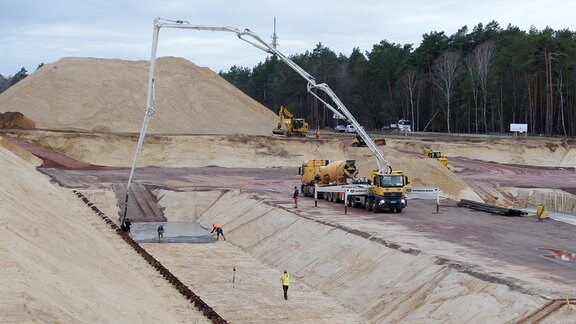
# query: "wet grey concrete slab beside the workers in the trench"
174 232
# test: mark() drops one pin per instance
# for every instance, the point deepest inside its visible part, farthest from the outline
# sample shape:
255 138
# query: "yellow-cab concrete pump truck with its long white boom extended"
385 190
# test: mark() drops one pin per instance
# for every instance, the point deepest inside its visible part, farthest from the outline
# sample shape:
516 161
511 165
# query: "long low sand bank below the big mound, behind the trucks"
242 151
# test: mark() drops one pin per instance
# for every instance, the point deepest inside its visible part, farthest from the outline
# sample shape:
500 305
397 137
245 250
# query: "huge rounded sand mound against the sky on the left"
103 95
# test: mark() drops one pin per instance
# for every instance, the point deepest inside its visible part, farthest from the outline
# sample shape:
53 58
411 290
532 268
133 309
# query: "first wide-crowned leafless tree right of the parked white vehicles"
446 70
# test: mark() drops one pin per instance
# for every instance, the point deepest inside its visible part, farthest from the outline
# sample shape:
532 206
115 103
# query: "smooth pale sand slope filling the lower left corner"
61 263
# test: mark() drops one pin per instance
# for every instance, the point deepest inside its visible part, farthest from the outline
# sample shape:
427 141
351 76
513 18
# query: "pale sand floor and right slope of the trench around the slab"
378 282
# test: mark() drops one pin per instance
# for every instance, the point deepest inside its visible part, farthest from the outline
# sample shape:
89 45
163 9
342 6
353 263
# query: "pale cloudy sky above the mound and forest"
42 31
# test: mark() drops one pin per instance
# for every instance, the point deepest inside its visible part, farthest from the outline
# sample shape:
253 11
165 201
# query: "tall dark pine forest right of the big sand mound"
474 81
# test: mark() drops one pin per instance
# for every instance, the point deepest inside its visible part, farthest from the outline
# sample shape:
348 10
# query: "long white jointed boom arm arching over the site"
341 111
